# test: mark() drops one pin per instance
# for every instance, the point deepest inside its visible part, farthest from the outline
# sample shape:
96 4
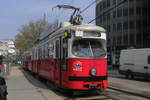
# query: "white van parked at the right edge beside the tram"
135 62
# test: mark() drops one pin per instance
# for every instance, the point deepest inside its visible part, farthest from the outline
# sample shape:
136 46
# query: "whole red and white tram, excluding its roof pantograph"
72 57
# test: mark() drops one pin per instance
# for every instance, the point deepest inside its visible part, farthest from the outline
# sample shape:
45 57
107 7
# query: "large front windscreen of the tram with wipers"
88 48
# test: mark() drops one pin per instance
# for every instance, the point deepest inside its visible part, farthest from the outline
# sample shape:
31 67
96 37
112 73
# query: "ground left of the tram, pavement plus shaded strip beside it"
23 86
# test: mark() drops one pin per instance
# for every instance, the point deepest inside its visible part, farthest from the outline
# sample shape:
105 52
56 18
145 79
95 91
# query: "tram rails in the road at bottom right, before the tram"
106 96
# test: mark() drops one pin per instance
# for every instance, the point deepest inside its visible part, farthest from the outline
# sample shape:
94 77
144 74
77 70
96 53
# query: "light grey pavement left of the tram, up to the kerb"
19 88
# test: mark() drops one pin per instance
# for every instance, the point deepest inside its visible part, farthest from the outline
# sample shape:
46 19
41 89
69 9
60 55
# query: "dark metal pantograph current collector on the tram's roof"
76 18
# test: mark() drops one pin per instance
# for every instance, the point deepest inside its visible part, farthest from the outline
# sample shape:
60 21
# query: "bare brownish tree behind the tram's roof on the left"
29 33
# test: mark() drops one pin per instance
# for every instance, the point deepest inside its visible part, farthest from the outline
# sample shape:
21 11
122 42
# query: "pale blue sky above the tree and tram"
14 13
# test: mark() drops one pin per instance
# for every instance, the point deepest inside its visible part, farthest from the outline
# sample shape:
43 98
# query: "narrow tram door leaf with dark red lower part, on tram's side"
58 62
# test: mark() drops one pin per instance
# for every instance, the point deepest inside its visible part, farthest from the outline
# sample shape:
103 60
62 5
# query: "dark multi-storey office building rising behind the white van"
127 23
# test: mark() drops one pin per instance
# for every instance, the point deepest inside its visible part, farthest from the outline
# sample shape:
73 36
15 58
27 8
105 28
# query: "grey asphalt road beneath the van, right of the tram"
138 86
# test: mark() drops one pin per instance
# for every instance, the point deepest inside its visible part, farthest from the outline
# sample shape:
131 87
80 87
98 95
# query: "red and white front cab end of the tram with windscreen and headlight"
86 60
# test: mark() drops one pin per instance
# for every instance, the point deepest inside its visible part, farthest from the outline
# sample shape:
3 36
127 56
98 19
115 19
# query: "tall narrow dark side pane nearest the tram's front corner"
65 53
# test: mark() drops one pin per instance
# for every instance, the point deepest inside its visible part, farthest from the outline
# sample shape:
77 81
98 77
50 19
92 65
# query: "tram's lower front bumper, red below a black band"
86 83
